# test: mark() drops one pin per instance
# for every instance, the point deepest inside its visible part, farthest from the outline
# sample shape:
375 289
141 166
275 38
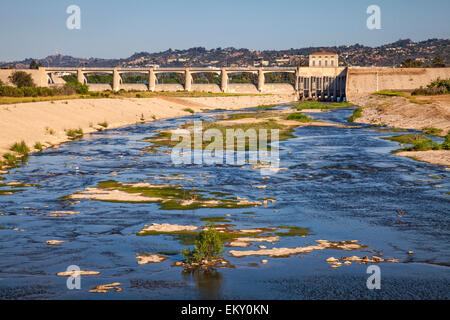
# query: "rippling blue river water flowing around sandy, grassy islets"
341 183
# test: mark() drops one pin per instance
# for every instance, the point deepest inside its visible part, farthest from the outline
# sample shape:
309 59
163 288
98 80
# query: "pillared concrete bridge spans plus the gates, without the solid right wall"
316 83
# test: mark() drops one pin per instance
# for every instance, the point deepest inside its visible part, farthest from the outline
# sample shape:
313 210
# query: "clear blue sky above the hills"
117 29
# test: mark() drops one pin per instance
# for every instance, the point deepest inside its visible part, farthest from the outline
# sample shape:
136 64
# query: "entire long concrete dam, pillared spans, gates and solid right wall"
317 83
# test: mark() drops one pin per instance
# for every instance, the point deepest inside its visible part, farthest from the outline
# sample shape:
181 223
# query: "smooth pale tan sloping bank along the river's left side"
47 121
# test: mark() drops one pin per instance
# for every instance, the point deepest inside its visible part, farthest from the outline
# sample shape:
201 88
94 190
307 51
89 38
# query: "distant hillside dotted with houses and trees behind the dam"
392 54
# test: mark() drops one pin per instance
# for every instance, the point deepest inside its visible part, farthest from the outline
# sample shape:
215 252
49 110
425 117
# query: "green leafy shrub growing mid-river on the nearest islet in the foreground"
208 246
